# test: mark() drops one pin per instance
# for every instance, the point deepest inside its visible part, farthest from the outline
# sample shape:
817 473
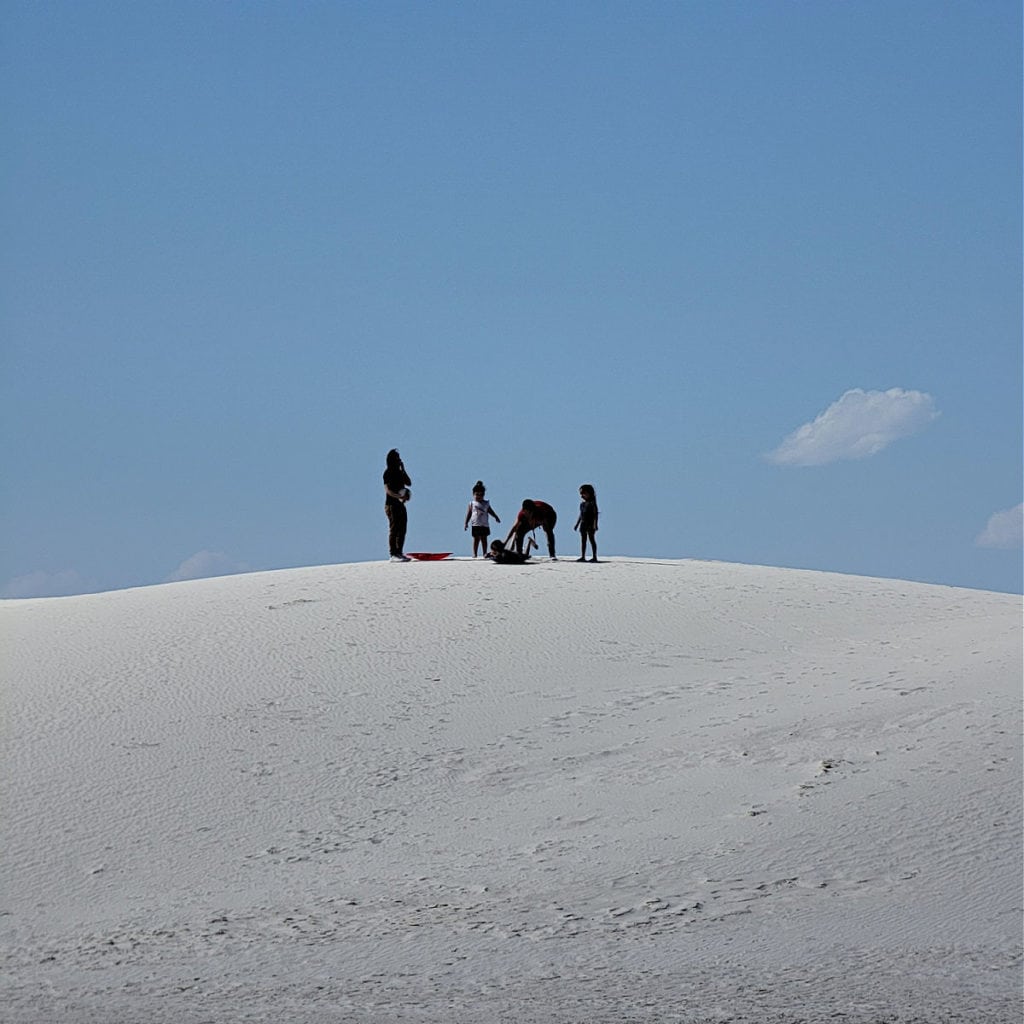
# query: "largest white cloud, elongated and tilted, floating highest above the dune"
861 424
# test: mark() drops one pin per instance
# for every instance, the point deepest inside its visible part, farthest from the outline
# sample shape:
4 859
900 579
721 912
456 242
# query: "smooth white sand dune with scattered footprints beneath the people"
454 792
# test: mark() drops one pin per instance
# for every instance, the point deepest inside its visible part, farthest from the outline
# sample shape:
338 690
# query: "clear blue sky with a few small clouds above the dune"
753 270
